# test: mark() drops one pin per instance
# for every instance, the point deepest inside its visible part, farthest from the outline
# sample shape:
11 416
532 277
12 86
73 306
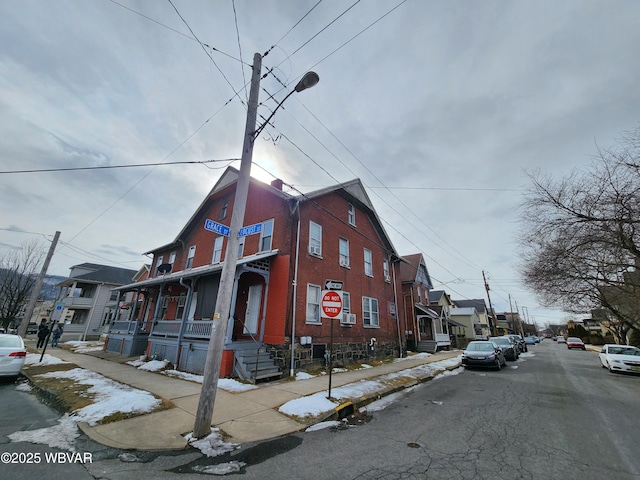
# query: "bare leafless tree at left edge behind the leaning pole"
18 272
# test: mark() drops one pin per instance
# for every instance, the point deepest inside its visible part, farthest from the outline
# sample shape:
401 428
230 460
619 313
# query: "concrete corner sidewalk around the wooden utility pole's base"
245 416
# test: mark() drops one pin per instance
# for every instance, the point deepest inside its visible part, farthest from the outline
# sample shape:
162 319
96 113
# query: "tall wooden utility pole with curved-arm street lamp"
202 425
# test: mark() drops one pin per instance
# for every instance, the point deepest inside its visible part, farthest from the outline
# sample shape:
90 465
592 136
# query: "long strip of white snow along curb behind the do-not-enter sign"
318 404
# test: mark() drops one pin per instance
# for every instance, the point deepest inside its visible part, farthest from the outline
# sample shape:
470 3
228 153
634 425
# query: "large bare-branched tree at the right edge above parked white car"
580 237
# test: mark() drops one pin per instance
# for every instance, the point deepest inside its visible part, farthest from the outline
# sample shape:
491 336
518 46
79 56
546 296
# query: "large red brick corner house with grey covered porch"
300 243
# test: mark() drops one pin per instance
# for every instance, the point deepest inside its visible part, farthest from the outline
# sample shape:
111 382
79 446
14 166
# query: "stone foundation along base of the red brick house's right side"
311 357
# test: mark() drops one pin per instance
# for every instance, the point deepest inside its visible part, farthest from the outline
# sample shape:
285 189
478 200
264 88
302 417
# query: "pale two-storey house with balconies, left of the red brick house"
89 300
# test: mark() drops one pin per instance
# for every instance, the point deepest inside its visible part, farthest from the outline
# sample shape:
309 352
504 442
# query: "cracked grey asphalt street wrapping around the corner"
553 414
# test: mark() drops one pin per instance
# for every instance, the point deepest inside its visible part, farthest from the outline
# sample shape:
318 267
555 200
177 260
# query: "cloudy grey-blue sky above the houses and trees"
442 109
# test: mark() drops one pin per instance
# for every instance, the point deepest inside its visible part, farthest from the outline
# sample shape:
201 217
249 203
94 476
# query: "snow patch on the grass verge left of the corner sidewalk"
108 397
